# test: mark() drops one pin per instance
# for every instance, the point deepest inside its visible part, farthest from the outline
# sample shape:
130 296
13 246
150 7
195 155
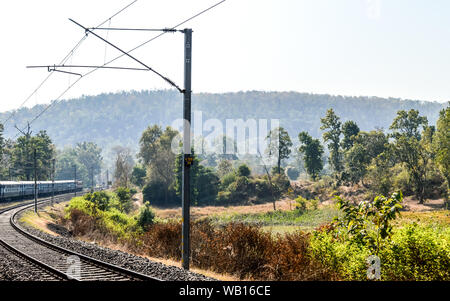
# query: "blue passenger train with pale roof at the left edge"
19 190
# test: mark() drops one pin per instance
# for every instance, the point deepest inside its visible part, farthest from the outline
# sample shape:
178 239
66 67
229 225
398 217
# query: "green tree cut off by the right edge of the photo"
441 145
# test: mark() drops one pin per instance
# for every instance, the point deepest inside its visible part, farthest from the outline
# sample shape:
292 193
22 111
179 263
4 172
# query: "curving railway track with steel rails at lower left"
53 262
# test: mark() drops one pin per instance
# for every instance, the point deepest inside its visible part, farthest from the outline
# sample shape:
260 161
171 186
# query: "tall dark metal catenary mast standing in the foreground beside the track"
186 149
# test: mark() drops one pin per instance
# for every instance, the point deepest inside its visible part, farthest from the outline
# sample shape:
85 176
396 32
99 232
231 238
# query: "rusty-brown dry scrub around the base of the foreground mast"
241 250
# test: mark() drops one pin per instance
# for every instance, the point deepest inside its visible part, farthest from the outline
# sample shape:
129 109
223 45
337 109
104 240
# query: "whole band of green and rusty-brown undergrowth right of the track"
335 247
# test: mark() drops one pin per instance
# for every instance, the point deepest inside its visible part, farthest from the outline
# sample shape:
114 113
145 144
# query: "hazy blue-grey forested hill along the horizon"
119 119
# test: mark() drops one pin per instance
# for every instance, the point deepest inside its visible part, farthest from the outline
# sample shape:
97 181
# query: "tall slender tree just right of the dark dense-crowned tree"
332 124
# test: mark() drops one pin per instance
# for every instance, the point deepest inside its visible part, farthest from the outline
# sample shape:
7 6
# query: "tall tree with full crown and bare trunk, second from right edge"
408 149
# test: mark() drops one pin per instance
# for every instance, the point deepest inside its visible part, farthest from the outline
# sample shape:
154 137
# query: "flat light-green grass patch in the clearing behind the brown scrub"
282 221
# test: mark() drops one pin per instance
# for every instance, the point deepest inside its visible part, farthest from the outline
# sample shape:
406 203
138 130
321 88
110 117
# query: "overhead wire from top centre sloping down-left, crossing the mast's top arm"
122 55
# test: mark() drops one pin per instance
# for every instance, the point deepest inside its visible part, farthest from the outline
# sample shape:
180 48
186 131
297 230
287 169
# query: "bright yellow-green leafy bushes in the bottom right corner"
415 253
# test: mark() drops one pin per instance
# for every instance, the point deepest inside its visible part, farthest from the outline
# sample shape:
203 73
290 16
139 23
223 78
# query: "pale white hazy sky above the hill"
386 48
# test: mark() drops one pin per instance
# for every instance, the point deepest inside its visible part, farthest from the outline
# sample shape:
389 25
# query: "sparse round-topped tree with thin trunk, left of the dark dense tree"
279 145
